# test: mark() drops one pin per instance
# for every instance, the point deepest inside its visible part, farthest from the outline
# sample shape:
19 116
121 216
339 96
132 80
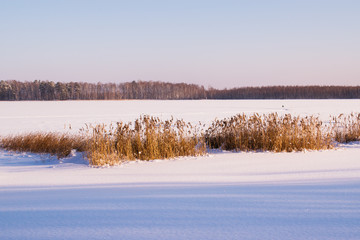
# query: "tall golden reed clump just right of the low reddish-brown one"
147 139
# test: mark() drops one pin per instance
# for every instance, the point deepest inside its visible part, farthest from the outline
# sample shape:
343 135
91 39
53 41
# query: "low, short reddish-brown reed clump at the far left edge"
59 144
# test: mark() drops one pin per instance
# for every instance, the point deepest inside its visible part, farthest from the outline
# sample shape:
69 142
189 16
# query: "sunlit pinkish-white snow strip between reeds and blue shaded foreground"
32 170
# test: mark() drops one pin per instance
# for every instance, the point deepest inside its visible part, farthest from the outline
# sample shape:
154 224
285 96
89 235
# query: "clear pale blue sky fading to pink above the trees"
221 44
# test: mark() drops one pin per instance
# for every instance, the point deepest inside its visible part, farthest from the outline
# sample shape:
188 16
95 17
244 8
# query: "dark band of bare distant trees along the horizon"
12 90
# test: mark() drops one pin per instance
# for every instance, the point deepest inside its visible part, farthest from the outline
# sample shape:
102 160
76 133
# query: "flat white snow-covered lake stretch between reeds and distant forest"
58 115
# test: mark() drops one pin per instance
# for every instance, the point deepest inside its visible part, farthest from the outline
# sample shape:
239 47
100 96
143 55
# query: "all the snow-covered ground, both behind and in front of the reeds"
224 195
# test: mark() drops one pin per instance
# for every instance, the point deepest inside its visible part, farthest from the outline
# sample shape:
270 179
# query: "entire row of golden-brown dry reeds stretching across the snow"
149 138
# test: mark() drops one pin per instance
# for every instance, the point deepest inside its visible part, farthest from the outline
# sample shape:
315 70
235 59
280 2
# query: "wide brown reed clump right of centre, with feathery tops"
269 132
